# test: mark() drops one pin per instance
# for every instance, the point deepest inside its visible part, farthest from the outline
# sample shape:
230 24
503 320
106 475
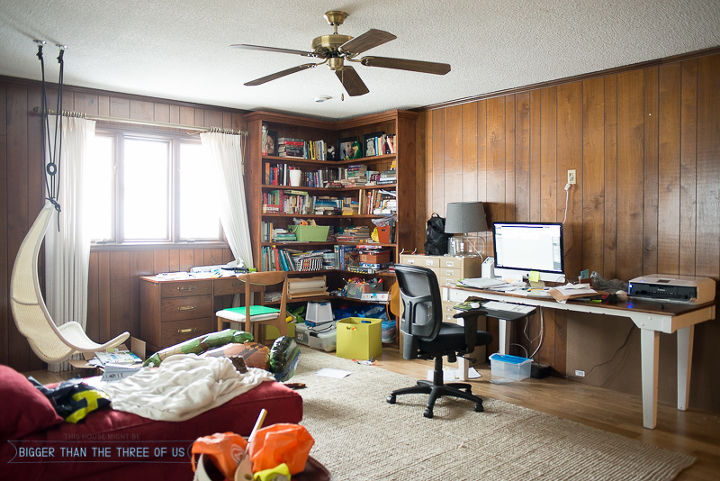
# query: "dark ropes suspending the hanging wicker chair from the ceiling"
51 157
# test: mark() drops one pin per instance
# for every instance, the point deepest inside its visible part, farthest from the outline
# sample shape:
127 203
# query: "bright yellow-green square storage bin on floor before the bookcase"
359 338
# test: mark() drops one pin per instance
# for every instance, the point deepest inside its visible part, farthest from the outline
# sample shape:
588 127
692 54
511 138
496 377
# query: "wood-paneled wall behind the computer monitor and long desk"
645 143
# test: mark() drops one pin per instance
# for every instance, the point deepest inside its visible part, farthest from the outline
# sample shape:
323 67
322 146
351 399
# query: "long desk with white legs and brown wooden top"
652 318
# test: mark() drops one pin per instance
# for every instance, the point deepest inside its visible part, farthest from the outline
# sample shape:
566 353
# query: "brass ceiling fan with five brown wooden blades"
337 49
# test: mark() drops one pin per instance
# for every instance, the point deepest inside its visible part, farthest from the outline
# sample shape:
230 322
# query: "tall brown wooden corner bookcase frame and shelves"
400 123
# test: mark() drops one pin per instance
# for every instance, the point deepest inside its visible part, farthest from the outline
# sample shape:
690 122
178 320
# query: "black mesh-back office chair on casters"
426 336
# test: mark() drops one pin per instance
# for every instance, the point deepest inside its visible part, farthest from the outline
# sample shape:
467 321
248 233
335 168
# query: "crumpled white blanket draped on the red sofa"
182 387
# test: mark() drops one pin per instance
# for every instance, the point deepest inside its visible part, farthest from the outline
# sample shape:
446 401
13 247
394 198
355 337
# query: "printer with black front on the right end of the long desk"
667 287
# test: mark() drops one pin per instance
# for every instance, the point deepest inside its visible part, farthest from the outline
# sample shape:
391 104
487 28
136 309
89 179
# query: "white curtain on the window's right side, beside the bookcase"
225 153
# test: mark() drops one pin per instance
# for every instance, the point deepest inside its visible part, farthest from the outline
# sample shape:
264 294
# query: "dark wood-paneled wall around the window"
113 304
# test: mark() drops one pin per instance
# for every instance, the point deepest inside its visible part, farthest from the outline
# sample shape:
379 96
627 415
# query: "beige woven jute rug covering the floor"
359 436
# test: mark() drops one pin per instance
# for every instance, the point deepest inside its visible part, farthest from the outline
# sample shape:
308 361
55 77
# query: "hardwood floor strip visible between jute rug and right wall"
690 432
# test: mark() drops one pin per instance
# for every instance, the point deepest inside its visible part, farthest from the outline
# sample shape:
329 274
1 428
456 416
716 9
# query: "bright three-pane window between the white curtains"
150 189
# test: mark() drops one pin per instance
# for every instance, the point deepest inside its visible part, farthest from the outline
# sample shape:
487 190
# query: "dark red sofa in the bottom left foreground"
112 445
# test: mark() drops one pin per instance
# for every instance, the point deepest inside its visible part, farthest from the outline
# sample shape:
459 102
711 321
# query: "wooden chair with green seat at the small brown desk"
256 316
